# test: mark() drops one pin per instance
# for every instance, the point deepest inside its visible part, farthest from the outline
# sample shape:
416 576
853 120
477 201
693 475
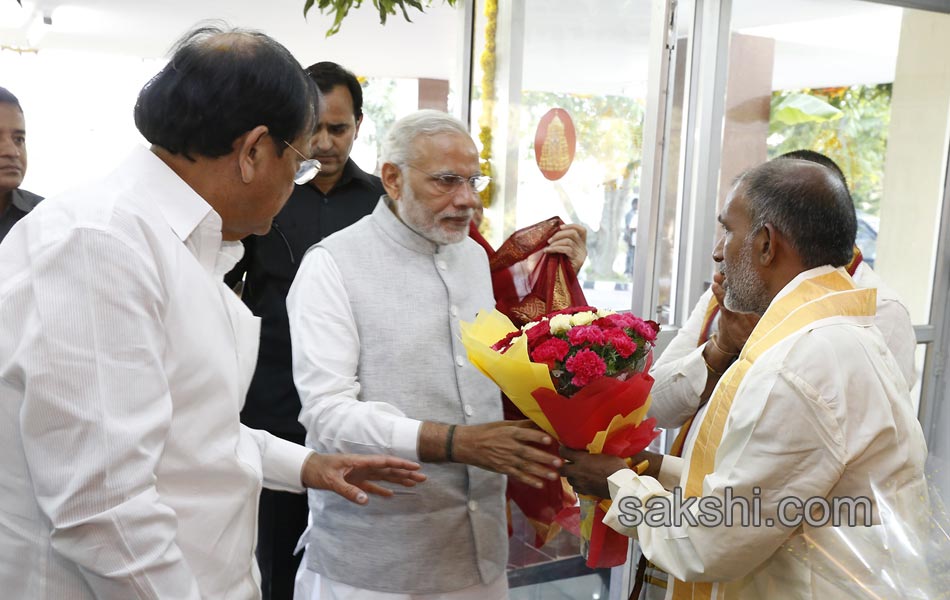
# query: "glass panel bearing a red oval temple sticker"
566 131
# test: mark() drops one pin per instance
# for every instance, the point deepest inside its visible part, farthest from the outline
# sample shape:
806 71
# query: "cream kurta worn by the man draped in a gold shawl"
823 413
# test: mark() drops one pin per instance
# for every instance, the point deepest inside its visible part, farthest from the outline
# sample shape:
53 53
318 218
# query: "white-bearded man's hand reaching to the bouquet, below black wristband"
506 447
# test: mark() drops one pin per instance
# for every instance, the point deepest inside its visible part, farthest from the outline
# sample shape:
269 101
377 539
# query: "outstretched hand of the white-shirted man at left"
351 475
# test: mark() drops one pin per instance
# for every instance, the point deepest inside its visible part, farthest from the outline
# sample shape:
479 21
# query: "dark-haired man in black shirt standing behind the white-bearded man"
339 195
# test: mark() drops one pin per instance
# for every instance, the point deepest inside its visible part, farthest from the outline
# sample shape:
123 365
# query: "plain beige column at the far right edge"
915 165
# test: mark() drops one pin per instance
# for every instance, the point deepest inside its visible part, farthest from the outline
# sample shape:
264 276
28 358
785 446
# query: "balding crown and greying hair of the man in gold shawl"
808 203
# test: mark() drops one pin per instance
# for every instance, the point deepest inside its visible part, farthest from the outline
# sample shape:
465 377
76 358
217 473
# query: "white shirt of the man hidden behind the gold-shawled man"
680 372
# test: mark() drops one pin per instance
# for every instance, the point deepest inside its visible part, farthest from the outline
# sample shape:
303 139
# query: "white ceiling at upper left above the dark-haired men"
147 28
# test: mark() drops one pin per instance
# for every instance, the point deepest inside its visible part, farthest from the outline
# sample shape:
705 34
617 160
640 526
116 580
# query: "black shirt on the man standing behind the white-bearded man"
269 265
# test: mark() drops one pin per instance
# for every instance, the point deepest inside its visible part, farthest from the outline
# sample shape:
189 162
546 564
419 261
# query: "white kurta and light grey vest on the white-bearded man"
374 314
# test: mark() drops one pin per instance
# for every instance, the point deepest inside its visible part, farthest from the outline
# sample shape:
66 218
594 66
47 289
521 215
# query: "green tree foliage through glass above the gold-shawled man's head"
857 141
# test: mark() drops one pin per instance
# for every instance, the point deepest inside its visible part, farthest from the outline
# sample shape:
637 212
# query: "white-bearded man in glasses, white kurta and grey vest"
379 365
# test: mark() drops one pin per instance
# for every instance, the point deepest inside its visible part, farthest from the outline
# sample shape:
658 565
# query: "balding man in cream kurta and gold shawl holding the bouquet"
815 406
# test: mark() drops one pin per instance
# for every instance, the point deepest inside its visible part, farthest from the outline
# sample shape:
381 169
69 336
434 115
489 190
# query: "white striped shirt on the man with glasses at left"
124 362
